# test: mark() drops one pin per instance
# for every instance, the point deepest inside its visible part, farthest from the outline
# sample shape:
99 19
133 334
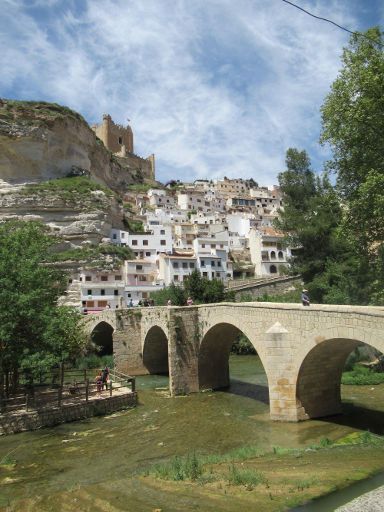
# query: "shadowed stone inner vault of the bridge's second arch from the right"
213 356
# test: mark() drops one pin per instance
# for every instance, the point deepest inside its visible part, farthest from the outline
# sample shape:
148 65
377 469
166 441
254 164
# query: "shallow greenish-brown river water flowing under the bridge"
83 453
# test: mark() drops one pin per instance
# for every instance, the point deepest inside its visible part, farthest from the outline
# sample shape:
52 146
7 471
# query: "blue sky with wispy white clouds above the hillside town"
213 87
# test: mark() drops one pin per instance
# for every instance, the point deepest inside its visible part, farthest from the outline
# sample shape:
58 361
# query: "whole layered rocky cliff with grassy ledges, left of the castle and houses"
54 169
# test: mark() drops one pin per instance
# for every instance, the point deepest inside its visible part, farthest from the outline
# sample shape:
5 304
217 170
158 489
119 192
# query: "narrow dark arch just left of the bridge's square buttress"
155 351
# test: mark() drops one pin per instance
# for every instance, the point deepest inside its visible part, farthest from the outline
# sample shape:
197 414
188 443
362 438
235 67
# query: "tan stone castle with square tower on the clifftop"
119 140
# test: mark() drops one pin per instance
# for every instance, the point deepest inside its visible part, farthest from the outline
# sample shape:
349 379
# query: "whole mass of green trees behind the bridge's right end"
337 231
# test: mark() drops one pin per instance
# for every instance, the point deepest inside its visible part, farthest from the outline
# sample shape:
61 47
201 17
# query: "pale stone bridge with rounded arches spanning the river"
302 349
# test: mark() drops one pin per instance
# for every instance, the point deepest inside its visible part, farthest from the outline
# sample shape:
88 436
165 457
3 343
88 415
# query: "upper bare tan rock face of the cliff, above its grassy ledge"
40 141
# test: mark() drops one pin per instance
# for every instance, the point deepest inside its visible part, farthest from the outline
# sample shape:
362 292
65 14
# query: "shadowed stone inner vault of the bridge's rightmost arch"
318 387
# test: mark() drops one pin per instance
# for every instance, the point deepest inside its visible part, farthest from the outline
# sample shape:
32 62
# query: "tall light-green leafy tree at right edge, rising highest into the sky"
353 126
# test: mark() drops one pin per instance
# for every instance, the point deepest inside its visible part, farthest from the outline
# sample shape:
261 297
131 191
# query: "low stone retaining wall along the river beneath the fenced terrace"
12 423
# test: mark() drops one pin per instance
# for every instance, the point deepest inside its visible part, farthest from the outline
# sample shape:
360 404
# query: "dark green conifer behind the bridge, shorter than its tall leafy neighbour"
323 256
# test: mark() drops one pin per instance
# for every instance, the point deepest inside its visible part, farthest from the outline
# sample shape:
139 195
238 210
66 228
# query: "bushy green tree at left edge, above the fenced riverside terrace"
31 325
